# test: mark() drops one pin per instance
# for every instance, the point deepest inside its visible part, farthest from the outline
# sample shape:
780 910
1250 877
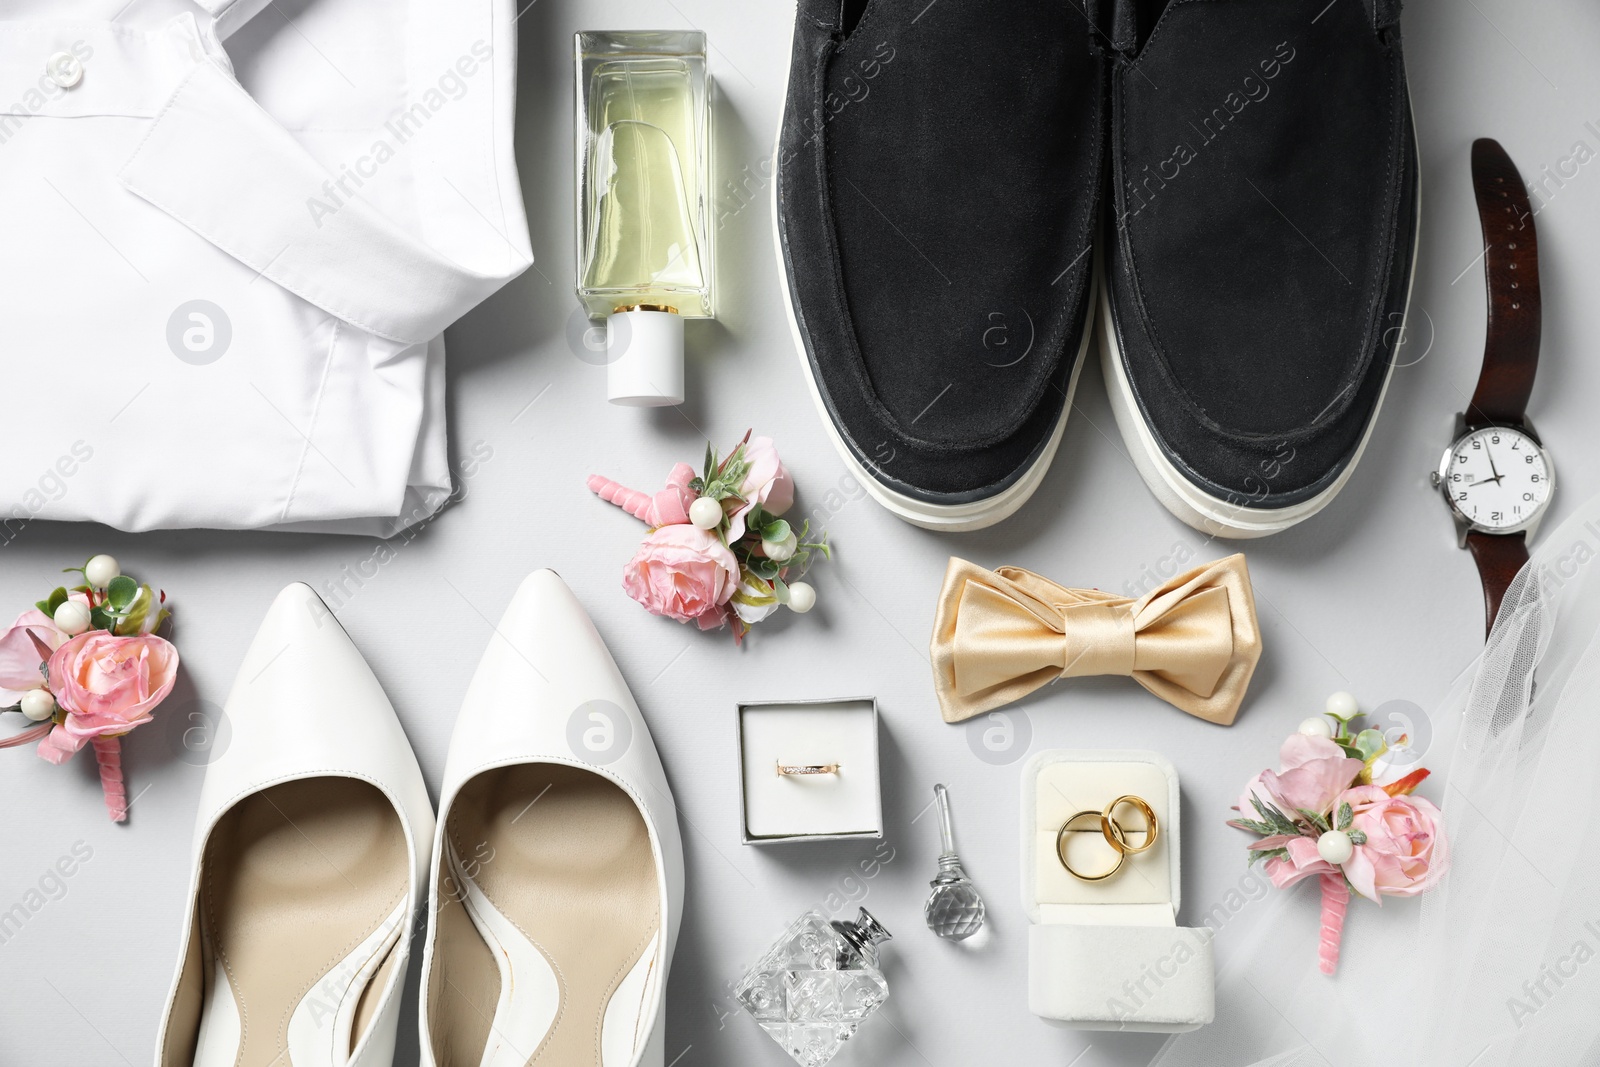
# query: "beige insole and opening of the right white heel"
554 860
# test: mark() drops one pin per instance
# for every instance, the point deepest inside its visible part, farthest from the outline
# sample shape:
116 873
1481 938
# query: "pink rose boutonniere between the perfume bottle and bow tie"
719 549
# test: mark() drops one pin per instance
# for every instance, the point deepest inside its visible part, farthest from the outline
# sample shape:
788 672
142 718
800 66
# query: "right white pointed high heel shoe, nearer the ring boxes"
559 868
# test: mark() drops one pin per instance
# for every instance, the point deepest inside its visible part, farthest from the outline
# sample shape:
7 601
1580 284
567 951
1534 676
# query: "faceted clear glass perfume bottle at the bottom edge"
817 985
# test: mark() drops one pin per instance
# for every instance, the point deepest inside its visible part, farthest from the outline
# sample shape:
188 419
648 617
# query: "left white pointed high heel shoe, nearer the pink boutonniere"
308 863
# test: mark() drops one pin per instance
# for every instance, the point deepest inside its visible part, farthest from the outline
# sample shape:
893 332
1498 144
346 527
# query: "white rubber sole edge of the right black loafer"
1183 498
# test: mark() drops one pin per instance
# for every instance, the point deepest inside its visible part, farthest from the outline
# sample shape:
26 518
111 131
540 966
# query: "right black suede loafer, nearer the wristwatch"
1260 244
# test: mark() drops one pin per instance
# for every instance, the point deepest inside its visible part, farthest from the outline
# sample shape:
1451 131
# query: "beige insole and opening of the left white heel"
302 905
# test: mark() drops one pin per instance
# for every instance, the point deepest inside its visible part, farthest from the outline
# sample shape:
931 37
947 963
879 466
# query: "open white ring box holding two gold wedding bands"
1110 956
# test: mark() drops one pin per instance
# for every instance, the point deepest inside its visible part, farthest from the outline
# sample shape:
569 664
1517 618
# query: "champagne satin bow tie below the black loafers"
999 636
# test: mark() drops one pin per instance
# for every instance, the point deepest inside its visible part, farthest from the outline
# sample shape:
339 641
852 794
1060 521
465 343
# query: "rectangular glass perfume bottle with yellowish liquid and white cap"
644 201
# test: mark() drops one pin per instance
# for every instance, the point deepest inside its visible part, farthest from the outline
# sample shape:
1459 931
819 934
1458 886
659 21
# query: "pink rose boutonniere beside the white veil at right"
1324 817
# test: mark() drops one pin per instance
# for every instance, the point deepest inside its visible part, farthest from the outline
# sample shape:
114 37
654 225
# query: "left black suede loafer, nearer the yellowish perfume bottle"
935 202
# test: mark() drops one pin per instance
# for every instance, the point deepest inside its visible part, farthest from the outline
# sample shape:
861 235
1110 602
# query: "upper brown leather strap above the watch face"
1511 271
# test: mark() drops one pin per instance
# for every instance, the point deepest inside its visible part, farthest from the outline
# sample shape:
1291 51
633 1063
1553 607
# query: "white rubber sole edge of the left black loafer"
943 518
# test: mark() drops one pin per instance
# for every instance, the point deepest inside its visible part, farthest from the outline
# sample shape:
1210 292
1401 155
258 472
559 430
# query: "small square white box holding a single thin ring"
844 804
